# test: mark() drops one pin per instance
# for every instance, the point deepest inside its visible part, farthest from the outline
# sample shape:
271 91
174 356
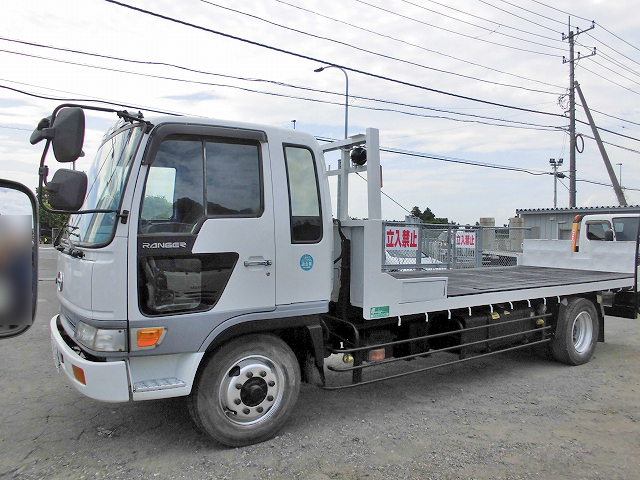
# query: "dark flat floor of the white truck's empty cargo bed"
503 279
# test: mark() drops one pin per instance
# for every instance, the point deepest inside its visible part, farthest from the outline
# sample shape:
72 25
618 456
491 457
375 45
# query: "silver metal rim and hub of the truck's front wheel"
250 389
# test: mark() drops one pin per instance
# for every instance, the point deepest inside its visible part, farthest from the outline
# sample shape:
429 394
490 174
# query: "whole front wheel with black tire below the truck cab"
246 391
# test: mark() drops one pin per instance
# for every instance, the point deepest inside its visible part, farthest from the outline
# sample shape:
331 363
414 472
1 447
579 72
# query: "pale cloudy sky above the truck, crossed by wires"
467 81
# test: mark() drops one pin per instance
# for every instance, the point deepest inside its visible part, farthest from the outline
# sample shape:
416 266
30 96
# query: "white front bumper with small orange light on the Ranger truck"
105 381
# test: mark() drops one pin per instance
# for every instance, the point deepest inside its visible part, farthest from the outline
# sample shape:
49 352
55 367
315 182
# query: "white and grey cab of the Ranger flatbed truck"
191 233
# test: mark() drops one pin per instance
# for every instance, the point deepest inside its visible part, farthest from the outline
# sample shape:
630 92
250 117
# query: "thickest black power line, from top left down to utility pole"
314 59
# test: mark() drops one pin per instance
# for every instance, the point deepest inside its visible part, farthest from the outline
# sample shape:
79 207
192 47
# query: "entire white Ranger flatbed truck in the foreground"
202 260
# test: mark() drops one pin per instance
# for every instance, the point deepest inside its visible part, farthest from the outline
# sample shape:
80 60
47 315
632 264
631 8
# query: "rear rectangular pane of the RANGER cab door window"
234 181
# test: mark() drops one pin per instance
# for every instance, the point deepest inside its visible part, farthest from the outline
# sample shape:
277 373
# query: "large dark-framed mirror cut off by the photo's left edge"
18 258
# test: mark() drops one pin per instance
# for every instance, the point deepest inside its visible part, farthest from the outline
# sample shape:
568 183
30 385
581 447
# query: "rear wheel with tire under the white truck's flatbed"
576 333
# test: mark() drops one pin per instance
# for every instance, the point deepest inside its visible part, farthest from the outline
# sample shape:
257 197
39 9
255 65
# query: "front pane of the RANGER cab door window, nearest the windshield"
174 191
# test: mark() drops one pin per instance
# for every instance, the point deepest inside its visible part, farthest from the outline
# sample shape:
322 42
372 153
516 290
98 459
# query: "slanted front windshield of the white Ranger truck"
106 180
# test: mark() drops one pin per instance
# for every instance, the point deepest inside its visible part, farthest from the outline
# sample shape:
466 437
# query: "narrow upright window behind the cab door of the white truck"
304 196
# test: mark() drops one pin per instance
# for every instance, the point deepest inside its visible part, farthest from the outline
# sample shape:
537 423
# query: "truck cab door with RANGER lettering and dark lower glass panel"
205 235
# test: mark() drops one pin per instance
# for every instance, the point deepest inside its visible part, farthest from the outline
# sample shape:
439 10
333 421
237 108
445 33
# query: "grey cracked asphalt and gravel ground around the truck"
511 416
